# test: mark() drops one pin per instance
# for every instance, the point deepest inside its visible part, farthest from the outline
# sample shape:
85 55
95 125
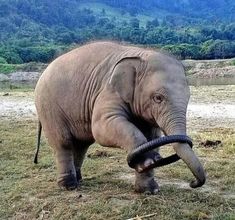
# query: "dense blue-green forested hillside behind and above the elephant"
40 30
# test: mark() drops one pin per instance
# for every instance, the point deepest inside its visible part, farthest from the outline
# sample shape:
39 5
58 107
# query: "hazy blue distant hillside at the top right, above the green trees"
207 10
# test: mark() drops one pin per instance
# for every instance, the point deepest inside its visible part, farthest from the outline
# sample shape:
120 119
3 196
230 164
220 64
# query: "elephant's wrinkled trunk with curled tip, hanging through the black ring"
185 152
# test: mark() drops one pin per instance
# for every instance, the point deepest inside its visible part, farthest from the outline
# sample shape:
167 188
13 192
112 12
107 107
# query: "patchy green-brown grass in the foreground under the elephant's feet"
29 191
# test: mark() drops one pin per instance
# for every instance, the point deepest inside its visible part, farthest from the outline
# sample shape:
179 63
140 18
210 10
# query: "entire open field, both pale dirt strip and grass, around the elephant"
29 191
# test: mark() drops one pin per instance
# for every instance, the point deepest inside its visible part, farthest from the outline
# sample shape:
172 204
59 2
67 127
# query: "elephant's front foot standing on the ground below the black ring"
145 183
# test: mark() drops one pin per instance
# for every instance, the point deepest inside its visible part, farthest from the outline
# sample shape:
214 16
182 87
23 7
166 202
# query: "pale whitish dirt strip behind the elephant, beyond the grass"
210 106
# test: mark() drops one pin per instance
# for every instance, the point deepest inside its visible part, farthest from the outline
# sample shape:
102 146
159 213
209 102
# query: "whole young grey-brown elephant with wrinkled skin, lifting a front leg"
119 96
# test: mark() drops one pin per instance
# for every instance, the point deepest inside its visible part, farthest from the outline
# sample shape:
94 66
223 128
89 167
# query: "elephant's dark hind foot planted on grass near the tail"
68 181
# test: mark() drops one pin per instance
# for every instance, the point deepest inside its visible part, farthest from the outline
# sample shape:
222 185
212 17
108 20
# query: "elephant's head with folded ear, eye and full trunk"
156 90
